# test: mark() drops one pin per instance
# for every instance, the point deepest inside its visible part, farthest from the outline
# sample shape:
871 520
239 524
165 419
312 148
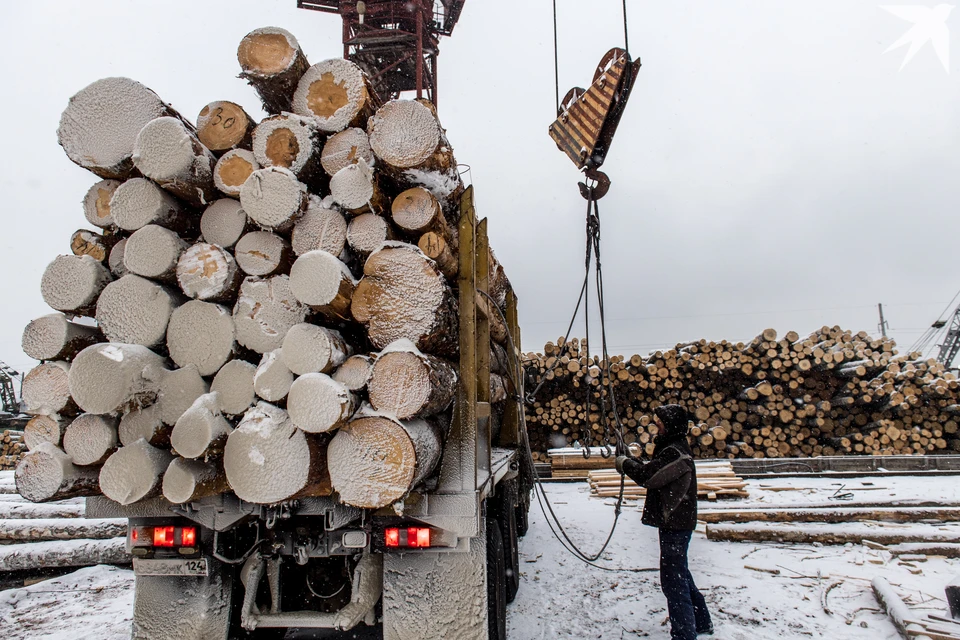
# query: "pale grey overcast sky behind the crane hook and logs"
774 168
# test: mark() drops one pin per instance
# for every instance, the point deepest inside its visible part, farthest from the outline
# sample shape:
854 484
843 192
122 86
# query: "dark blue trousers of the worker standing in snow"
685 604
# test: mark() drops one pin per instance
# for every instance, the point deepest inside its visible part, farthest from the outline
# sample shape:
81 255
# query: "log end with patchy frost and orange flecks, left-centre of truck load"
208 272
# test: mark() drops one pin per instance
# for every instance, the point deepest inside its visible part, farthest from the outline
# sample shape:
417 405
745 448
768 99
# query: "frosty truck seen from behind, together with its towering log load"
288 356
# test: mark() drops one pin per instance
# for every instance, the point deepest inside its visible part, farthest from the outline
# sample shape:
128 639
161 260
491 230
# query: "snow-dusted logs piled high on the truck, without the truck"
267 309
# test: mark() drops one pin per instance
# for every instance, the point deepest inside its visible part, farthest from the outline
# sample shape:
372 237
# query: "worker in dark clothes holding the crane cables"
671 506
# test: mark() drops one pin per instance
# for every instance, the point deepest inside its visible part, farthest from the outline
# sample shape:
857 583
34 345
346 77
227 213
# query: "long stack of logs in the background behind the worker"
831 393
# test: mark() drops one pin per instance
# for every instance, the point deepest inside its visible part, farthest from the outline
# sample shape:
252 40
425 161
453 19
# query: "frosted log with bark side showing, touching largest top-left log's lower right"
168 152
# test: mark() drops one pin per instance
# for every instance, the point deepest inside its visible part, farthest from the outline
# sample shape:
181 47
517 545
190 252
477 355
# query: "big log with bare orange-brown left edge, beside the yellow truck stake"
403 295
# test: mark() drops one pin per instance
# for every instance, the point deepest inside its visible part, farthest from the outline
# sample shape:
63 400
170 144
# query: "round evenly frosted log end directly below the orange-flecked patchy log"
201 334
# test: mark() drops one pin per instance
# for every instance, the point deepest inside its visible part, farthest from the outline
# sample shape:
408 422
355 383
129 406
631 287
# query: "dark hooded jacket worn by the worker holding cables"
670 477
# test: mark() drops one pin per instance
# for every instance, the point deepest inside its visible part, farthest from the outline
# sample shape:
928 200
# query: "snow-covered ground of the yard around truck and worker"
563 598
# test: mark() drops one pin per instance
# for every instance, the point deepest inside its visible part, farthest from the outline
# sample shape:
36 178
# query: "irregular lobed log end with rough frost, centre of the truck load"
265 311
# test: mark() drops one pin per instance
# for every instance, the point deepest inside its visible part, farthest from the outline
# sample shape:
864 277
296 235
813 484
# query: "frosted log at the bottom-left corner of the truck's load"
47 473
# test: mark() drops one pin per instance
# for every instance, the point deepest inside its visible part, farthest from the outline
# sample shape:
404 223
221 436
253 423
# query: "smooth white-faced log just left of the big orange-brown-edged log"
320 280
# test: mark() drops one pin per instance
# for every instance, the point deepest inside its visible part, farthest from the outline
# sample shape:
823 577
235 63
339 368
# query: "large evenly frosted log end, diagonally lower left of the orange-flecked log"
135 310
